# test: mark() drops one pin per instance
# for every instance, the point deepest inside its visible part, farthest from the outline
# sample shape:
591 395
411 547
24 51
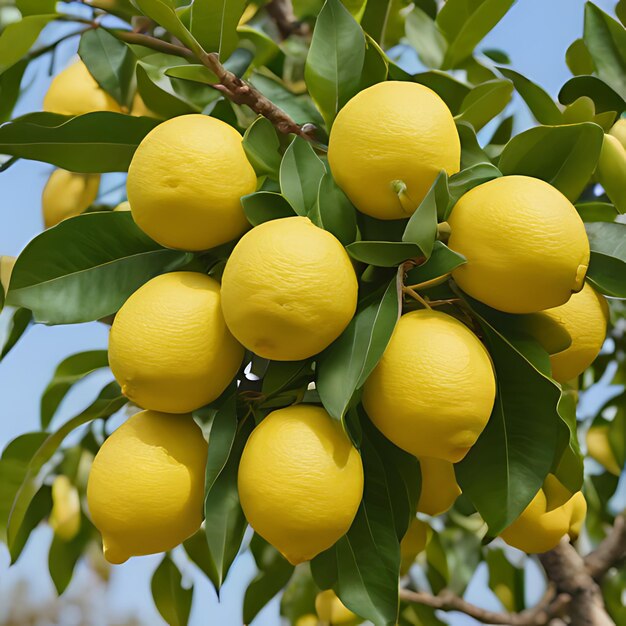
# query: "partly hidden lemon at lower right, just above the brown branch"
548 518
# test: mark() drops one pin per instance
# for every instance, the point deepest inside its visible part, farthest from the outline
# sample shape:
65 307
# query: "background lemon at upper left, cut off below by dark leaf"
74 91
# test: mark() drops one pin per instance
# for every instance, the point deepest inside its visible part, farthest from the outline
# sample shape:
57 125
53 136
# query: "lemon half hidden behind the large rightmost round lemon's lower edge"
585 317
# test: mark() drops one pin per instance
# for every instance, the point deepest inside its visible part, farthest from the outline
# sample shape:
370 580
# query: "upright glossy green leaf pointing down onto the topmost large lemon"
335 59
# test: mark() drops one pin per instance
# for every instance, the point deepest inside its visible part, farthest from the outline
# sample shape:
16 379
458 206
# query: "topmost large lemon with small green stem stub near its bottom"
392 131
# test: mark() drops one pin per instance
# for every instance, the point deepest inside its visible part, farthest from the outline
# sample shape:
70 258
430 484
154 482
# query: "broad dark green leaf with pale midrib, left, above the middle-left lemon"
86 267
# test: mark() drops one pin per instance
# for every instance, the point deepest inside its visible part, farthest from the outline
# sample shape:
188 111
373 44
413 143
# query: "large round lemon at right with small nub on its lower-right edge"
525 245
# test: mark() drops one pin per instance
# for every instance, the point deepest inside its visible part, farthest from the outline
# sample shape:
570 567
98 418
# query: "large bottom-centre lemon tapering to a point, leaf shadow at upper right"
300 481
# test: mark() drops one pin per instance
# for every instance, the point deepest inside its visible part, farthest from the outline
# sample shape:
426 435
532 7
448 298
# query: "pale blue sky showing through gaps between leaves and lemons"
535 33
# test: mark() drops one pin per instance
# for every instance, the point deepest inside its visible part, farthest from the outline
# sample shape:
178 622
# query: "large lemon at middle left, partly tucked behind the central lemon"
169 347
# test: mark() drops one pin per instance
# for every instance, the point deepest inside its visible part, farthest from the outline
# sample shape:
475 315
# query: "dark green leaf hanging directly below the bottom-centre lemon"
274 574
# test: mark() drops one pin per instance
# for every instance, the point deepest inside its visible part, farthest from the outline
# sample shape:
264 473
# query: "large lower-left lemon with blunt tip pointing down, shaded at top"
146 485
